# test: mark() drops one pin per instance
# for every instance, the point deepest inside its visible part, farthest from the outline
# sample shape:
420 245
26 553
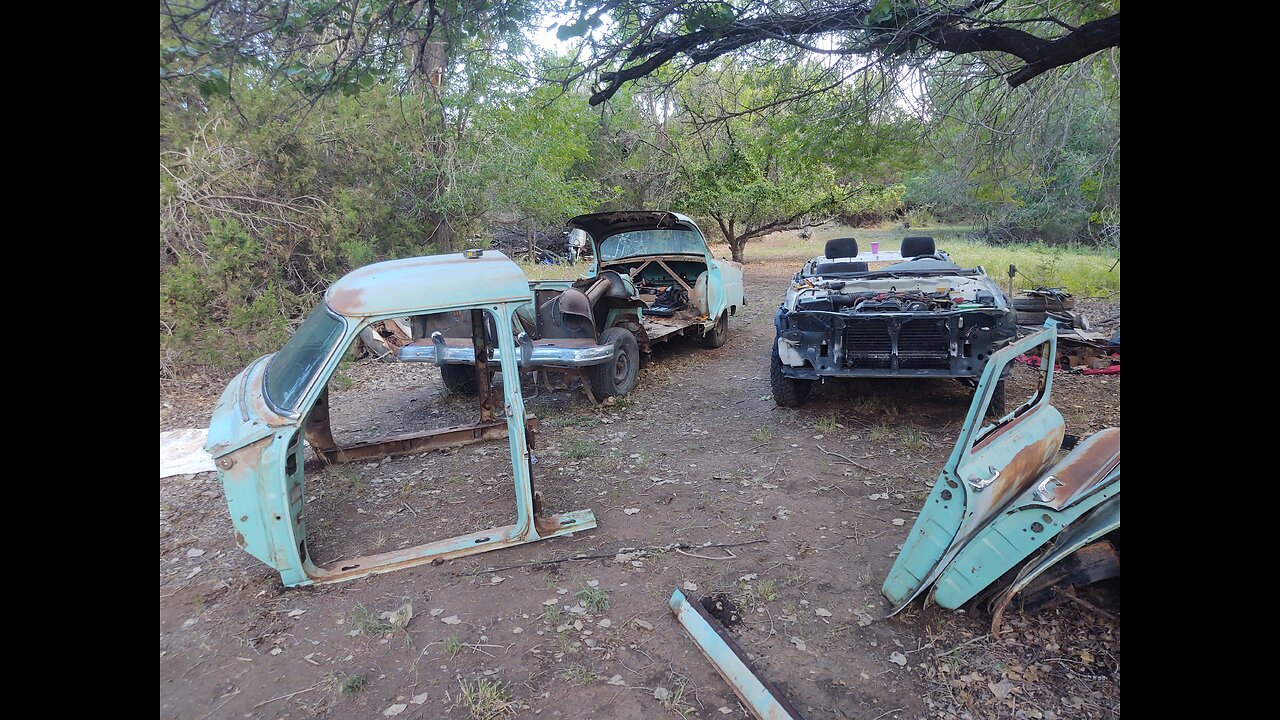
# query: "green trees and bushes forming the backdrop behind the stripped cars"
289 160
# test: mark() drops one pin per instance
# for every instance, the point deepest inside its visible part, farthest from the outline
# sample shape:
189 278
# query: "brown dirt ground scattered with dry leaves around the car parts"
698 454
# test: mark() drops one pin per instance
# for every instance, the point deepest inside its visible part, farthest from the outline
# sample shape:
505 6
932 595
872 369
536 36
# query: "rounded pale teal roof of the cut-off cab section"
428 284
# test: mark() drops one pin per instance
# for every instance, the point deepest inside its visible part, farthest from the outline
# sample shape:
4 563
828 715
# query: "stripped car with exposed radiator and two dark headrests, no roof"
886 316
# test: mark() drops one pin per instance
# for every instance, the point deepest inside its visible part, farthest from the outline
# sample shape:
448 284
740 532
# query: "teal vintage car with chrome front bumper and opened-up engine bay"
602 322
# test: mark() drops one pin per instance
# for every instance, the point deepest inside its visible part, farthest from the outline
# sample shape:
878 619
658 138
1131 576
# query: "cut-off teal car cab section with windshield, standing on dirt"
257 432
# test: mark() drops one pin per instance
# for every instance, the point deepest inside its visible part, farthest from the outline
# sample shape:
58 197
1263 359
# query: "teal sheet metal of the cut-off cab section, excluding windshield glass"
258 445
